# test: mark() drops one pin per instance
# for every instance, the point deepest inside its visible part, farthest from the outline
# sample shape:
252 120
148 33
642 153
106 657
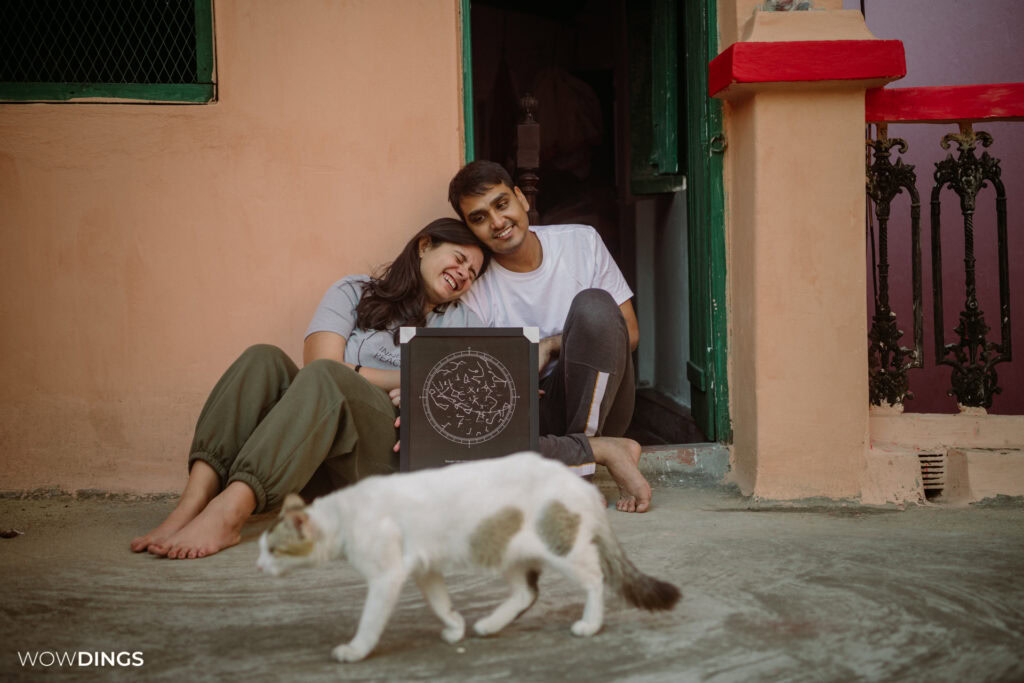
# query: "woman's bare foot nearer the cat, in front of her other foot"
219 527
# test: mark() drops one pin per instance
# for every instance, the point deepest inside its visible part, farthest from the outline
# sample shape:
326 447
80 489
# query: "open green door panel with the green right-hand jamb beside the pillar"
672 42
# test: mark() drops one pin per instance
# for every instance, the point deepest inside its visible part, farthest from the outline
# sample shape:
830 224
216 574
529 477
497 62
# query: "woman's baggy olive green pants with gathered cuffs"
274 426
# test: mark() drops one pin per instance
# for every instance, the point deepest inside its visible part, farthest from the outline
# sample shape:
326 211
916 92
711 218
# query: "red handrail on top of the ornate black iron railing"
947 105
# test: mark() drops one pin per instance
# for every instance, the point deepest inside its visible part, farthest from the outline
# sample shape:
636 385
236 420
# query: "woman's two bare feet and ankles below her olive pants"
205 522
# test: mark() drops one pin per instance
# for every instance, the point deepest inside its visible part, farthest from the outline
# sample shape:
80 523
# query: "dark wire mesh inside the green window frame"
113 41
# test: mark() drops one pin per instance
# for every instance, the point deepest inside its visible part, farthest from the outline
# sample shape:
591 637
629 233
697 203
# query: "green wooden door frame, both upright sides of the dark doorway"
707 370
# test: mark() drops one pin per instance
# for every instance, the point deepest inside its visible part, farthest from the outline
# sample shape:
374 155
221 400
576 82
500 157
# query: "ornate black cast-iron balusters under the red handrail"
973 356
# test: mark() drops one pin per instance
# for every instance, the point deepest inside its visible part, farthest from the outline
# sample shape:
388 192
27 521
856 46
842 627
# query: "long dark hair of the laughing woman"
397 297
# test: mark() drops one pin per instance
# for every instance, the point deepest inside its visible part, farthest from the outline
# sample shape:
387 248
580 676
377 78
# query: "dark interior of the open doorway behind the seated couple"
573 58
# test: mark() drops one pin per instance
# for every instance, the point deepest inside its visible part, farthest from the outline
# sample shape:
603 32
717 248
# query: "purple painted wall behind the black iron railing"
951 42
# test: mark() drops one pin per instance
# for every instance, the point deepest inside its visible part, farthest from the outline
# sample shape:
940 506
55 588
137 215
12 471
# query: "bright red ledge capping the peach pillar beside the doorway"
806 61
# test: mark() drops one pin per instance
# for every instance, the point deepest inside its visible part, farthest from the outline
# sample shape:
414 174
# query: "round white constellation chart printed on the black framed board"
470 398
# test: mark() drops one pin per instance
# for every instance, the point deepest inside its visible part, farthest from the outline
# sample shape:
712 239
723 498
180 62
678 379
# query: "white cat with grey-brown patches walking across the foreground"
514 516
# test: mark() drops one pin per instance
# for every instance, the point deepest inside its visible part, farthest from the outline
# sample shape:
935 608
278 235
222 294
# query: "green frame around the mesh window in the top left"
202 90
